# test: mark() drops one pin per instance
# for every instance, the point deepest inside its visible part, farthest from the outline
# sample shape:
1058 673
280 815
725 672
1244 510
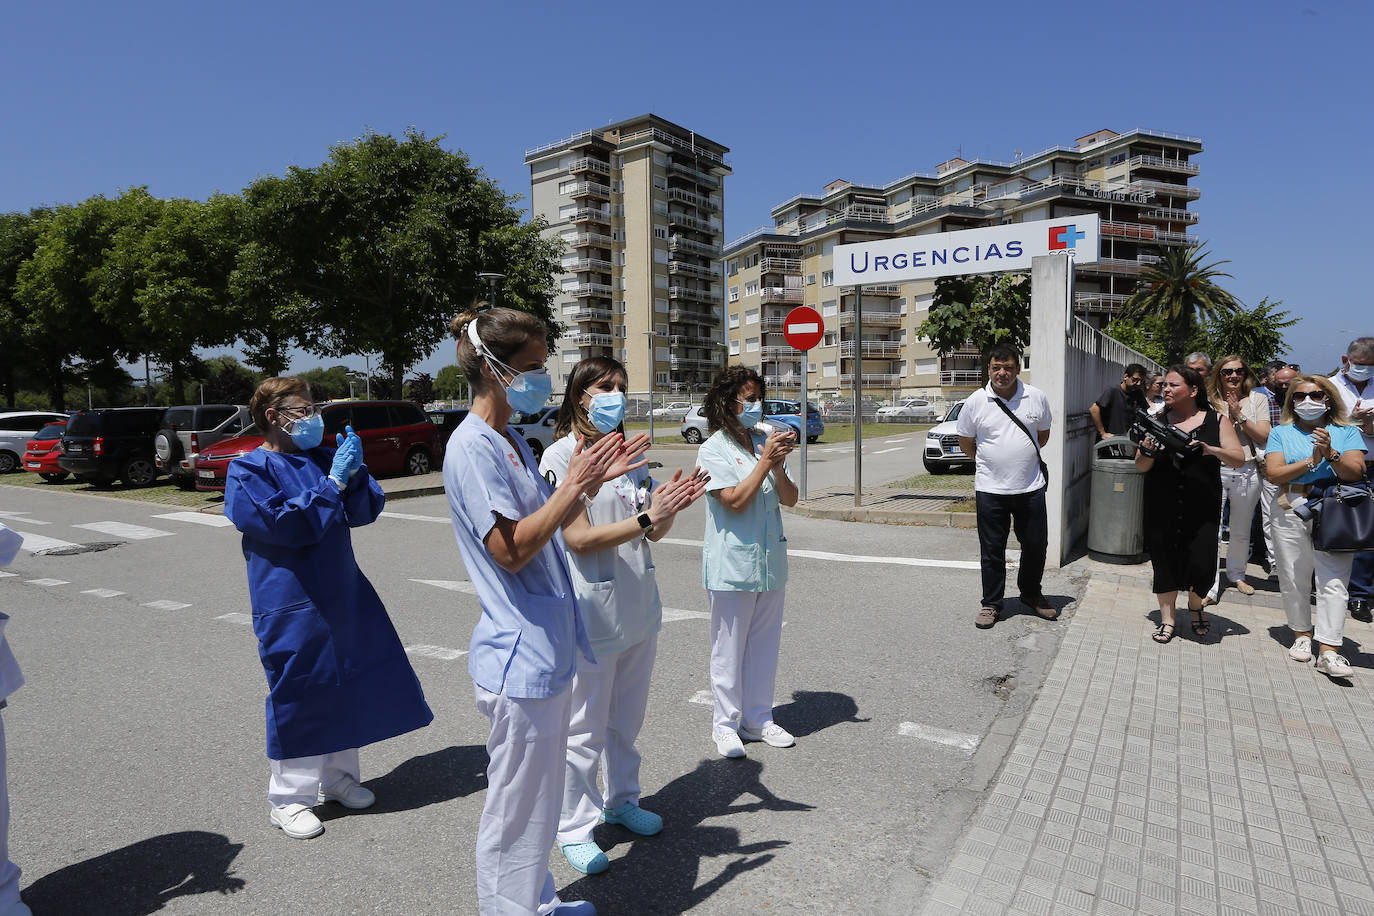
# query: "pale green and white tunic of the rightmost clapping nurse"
745 551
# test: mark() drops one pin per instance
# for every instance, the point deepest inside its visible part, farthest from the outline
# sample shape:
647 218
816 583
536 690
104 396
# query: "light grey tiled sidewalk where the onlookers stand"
1192 778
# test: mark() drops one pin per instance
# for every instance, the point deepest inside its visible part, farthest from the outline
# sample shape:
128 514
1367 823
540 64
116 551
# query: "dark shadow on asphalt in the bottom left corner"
141 878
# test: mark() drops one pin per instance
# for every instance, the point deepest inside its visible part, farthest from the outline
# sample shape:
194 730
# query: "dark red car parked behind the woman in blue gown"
398 439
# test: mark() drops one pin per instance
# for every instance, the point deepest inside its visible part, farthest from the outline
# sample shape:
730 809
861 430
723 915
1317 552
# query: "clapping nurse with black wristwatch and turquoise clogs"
618 597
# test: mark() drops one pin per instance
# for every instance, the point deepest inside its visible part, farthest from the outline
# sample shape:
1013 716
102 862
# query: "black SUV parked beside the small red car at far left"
111 444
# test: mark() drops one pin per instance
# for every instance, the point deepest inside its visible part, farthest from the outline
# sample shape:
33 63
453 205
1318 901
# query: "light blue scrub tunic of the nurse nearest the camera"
527 639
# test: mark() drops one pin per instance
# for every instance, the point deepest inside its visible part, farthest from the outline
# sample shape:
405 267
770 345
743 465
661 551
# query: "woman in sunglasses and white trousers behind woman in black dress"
1232 389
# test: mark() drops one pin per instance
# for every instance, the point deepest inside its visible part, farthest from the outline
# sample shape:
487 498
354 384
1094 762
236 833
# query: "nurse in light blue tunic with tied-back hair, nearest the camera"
526 645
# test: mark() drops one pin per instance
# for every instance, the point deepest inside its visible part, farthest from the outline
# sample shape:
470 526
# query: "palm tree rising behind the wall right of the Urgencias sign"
1182 290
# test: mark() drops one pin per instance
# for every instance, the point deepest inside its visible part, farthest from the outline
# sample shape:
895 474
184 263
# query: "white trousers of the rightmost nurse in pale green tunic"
745 641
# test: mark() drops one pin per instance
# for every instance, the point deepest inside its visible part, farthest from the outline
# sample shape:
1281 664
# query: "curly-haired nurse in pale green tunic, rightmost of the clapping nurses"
745 560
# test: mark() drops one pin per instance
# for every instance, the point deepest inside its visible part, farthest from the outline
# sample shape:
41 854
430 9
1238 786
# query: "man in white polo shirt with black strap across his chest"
995 429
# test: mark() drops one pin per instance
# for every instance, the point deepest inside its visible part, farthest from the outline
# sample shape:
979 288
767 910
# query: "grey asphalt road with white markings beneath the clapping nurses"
138 777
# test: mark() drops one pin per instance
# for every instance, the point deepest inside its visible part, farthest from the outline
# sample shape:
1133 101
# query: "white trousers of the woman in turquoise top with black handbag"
1296 564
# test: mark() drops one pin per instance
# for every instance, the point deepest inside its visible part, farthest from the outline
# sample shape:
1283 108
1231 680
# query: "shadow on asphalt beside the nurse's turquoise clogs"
659 874
